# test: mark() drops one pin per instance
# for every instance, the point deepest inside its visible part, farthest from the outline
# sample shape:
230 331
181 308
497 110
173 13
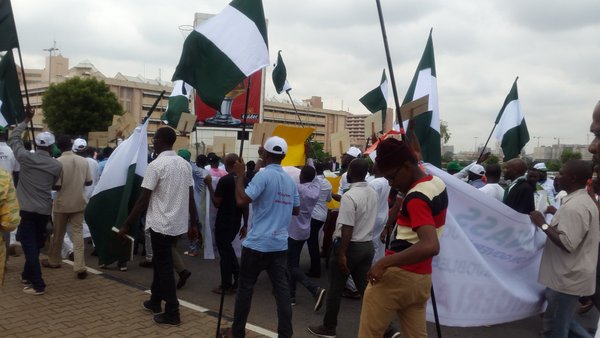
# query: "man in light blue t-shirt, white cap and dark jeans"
274 197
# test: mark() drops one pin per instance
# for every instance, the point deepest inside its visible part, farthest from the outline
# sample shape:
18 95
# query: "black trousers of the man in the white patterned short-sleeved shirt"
163 281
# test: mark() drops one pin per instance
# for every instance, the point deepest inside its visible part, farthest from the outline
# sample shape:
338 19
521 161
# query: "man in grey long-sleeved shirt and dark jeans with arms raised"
39 172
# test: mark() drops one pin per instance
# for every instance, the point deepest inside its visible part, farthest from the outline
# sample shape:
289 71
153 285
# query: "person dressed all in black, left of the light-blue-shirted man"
227 225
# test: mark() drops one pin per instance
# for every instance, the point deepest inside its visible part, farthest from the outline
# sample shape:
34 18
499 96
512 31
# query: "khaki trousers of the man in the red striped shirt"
398 292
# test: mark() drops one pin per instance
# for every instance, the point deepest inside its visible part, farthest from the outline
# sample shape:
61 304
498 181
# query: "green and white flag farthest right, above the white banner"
511 129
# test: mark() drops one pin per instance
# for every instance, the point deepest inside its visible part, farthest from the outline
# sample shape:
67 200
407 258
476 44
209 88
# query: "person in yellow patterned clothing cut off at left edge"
9 214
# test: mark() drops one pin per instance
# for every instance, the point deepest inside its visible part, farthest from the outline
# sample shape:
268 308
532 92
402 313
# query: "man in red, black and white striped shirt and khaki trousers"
401 283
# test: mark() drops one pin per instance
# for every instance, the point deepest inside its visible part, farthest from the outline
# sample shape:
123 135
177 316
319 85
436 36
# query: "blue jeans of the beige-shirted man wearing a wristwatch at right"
559 318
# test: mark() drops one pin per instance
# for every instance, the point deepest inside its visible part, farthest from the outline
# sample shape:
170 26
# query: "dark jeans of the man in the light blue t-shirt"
253 263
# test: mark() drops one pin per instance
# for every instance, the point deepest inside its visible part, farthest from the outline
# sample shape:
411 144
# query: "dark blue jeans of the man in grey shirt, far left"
32 235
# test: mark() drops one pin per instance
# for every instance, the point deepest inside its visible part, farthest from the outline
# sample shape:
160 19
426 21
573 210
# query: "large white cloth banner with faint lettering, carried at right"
487 268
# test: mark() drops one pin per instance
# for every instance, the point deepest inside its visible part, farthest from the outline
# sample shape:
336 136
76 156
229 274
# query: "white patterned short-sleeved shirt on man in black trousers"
169 177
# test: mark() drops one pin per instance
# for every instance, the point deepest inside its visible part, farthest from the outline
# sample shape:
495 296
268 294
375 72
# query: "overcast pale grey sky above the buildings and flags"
334 49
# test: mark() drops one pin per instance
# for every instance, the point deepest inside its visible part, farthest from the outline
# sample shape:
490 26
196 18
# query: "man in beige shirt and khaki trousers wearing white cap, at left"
69 205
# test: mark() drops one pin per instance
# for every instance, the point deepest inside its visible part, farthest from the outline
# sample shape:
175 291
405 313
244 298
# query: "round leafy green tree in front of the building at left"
78 106
